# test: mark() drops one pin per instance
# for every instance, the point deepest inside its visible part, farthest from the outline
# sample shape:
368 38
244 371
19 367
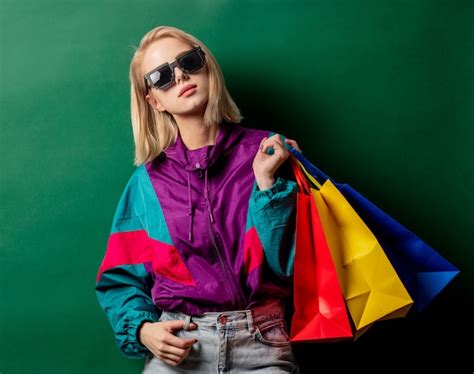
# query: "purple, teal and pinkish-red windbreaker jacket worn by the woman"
193 233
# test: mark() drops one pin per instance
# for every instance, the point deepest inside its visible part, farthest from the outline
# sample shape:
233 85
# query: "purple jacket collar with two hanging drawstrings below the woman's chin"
201 159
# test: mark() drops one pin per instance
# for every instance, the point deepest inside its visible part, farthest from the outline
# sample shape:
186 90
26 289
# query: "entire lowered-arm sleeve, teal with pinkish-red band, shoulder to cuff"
123 284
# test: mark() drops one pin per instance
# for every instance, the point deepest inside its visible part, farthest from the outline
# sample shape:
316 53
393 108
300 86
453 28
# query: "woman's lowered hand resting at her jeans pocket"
158 337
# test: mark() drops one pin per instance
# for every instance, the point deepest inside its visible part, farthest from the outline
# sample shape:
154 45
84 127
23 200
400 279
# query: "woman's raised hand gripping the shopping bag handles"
264 165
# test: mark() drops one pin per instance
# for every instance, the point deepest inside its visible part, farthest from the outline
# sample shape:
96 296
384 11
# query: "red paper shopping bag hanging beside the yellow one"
320 312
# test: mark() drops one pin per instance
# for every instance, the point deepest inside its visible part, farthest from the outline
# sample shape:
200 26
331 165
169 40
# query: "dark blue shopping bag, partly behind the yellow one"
422 270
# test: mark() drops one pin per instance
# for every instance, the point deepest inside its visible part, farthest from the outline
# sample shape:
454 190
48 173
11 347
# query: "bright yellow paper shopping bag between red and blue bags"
371 287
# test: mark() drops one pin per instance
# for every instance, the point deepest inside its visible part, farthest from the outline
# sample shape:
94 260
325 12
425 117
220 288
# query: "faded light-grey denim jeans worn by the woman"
239 341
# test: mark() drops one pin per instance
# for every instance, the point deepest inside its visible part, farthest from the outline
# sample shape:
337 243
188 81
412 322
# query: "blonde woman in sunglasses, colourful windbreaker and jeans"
200 253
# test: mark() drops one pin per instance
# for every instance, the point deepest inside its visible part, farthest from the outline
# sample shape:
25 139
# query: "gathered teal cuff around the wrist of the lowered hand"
128 340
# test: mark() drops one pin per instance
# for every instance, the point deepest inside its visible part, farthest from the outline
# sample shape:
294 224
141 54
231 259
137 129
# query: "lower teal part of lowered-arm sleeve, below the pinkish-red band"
124 295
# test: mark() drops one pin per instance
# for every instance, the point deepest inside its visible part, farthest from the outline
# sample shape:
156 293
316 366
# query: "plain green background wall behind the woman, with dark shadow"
378 94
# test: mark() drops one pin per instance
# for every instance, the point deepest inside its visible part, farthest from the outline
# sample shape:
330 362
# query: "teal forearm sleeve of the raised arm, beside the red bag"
273 212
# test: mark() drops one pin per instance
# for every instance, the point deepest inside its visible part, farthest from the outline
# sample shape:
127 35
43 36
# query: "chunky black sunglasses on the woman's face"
163 76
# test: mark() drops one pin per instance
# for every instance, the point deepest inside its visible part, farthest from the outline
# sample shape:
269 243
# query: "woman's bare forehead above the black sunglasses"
162 51
